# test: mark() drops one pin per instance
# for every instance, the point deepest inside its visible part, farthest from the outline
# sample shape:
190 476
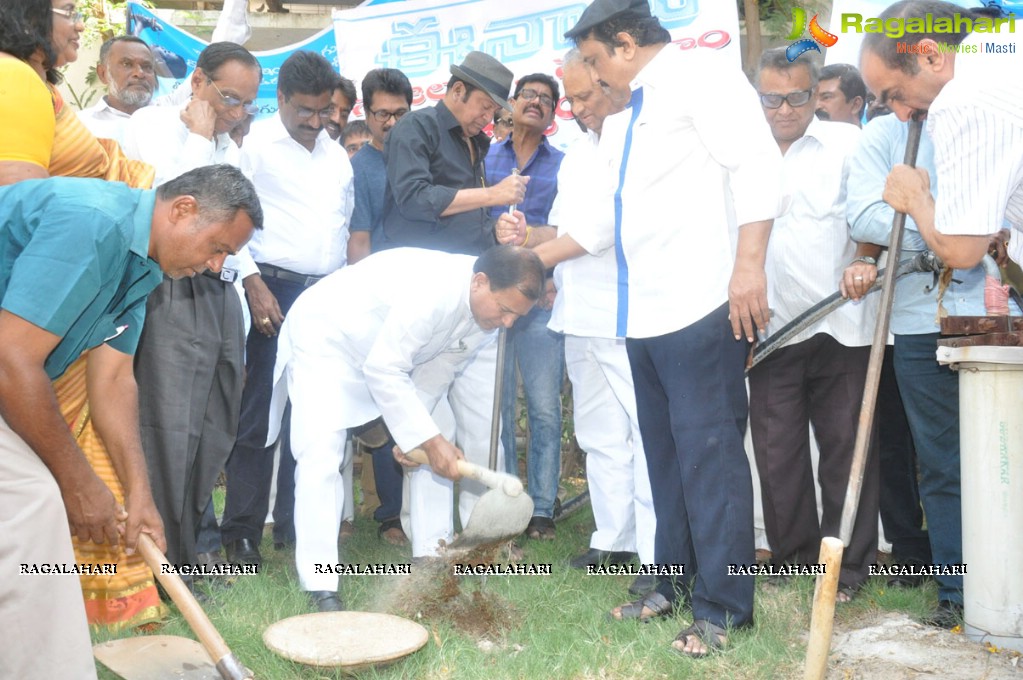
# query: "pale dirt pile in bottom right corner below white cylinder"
895 648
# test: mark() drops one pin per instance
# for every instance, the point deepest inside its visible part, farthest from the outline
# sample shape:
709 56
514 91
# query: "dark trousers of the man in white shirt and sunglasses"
818 382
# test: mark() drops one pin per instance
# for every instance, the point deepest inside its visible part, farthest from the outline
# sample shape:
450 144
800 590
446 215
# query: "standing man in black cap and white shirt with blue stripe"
694 170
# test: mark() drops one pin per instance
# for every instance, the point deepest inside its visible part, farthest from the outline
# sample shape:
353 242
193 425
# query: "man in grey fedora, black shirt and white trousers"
437 198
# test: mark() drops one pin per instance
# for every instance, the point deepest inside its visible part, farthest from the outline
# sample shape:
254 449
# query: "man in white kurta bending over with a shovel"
386 338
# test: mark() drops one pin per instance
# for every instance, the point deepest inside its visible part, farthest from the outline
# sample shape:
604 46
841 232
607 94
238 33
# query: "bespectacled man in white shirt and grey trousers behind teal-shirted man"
190 365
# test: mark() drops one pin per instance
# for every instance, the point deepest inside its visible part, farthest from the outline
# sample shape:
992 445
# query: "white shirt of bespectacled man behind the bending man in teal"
158 137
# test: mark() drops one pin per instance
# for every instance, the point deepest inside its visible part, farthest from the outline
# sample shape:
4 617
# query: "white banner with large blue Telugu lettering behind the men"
423 38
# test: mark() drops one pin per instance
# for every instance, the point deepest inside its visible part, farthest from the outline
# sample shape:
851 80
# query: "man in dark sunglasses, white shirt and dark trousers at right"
818 378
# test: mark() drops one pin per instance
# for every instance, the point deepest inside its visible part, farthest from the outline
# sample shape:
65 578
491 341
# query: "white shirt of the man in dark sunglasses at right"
810 246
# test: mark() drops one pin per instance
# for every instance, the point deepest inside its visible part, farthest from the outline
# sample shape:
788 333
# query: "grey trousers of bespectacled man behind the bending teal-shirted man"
190 371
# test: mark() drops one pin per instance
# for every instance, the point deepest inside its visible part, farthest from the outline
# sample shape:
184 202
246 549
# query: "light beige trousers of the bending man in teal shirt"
42 625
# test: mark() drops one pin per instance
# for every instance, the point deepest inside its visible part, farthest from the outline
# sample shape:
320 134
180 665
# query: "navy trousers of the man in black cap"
692 406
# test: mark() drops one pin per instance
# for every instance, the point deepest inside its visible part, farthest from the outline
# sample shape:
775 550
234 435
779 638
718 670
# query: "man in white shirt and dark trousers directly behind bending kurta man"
304 182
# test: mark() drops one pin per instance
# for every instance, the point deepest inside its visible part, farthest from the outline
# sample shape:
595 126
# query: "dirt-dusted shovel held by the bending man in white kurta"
502 514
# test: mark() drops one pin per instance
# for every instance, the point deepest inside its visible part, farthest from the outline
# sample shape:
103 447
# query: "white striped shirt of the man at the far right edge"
976 123
